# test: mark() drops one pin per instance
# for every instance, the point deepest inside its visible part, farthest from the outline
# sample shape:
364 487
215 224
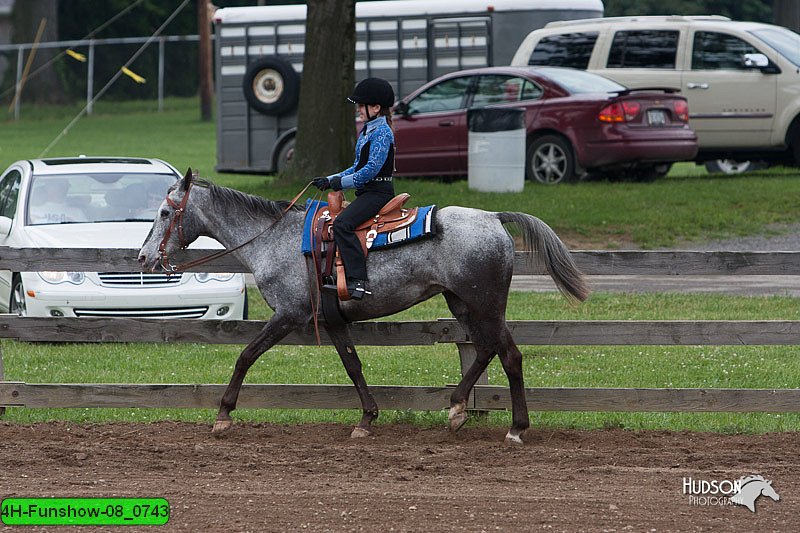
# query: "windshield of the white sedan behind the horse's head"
101 197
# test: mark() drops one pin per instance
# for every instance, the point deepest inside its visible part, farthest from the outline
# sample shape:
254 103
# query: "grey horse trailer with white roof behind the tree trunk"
259 59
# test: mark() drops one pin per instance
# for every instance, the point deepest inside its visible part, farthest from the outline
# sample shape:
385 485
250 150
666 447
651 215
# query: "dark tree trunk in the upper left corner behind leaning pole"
27 17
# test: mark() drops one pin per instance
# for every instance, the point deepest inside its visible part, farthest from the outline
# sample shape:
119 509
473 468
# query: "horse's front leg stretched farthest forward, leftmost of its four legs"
276 329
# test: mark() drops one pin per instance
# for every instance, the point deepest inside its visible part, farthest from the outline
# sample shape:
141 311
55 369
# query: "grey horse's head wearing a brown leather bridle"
173 228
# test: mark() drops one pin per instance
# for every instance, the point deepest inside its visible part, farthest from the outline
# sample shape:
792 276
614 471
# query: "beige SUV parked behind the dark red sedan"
742 79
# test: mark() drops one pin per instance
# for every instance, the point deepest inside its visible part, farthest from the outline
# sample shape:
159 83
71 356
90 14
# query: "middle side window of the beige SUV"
643 49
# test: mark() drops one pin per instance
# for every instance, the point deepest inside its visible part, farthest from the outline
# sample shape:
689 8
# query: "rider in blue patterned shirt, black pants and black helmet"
370 176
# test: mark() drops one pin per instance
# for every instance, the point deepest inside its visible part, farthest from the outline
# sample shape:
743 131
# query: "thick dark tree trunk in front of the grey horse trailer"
325 122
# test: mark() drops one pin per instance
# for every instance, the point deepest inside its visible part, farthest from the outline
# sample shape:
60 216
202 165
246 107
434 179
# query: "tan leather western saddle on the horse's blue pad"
393 216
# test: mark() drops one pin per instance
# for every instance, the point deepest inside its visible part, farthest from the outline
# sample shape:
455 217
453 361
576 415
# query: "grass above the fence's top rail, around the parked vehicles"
687 206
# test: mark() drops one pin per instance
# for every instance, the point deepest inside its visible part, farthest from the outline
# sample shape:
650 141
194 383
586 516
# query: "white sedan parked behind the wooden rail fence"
100 202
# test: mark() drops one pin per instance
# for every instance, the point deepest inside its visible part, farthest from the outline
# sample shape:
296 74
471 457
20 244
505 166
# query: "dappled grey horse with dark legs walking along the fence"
469 260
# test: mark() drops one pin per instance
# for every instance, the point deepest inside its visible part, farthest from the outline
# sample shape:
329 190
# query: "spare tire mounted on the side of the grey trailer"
271 86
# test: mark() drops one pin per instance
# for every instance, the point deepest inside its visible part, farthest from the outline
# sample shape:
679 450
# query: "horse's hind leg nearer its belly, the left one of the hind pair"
483 356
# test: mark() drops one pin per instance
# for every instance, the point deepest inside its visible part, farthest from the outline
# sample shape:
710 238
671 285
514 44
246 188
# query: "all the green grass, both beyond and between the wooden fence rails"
688 205
